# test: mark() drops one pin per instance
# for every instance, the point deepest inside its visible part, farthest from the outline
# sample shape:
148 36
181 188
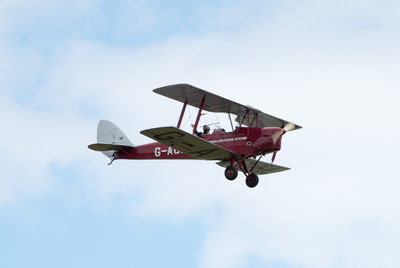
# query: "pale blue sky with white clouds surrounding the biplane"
329 66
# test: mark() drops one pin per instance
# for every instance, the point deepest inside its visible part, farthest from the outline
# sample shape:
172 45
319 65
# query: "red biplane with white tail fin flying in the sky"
255 134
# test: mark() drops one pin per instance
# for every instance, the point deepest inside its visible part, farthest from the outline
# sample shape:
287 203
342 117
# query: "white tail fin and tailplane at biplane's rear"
110 139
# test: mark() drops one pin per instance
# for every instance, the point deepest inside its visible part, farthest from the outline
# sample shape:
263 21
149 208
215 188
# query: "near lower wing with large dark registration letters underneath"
188 143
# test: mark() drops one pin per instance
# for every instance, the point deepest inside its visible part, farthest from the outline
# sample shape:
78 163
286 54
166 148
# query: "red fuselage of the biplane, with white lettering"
244 141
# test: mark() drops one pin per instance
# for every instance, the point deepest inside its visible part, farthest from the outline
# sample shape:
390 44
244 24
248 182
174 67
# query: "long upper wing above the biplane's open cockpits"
217 104
